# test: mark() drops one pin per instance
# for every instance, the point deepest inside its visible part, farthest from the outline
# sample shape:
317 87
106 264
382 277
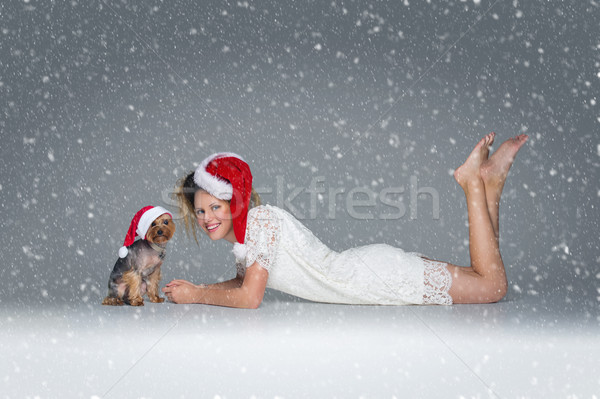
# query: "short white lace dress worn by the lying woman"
301 265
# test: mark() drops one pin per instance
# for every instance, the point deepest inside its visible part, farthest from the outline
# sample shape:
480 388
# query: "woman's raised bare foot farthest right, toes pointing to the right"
495 169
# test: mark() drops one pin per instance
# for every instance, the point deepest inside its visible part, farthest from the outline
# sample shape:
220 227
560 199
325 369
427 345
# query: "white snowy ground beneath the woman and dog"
520 348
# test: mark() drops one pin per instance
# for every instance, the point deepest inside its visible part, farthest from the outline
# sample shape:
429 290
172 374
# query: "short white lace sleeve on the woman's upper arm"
262 237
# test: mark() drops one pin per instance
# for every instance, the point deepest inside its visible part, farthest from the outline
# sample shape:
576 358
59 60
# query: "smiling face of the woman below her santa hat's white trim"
213 216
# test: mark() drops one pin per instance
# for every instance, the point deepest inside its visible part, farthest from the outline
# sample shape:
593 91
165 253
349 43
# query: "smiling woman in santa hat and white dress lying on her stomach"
275 250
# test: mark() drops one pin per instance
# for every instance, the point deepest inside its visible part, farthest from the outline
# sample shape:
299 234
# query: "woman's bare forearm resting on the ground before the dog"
249 295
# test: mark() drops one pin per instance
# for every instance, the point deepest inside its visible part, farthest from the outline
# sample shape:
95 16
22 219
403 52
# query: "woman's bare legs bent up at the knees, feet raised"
485 281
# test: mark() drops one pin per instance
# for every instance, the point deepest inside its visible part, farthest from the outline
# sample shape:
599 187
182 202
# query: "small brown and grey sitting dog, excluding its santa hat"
139 272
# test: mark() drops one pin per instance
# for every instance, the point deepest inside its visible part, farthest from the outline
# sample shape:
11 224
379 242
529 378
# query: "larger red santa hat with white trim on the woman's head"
227 176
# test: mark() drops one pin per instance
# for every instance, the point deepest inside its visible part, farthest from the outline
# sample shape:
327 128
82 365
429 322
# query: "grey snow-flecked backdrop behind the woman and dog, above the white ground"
104 105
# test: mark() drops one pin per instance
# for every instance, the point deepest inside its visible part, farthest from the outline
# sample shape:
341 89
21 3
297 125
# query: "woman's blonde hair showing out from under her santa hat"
185 190
